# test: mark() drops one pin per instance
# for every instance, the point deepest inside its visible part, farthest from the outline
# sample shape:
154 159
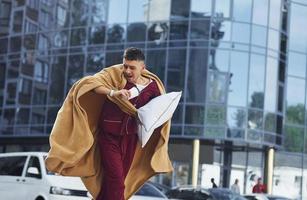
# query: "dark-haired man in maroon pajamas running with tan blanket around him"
95 133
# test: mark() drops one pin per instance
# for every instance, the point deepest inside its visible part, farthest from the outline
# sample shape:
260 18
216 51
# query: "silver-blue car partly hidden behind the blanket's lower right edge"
148 192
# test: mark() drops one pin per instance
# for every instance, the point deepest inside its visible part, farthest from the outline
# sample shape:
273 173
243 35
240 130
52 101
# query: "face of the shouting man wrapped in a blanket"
133 69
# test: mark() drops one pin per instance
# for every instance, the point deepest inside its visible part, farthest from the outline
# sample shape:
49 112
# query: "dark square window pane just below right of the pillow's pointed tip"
194 114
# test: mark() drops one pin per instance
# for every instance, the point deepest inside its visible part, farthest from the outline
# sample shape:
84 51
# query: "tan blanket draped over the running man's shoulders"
74 149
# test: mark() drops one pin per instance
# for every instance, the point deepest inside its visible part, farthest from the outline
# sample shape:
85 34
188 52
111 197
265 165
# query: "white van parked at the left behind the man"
24 176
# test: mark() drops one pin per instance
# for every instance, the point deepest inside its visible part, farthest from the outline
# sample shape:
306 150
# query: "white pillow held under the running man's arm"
155 113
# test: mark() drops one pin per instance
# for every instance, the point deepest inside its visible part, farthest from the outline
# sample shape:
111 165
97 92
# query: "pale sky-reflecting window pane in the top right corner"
298 35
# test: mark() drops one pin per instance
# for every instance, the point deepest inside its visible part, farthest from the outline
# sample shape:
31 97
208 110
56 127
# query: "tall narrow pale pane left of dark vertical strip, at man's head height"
271 85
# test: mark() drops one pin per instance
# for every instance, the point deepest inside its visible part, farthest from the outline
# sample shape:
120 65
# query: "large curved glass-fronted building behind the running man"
241 65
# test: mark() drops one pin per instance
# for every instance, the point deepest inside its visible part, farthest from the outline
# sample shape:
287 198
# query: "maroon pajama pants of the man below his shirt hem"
117 153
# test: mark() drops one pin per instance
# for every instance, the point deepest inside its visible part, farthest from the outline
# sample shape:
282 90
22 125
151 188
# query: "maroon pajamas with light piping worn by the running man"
117 141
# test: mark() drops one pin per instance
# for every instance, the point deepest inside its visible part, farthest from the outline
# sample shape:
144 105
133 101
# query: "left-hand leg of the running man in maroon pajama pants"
113 181
